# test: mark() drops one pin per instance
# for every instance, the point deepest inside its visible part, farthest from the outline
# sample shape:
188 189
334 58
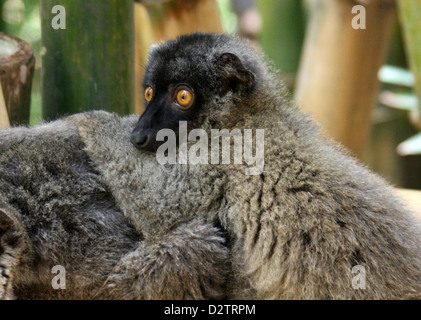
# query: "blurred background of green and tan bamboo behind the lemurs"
362 84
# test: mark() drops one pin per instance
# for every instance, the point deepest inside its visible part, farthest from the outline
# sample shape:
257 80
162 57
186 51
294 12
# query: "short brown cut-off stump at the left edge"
17 64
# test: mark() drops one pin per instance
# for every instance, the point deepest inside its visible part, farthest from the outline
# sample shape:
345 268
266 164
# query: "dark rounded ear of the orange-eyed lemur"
235 76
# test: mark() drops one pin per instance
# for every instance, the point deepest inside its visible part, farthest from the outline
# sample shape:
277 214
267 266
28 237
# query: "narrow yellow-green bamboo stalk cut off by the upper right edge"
410 15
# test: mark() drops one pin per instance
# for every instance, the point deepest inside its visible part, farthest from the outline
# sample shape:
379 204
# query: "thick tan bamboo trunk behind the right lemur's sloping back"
337 80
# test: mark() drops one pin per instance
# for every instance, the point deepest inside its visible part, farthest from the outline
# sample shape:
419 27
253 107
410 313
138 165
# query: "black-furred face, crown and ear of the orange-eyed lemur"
182 80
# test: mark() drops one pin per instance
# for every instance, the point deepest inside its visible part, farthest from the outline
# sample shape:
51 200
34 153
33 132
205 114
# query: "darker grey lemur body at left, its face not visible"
56 209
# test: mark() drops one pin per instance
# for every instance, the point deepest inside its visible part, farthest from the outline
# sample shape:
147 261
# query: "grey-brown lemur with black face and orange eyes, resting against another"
297 229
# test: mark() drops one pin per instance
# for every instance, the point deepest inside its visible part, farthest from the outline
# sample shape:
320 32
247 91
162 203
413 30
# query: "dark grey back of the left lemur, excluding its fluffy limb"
63 211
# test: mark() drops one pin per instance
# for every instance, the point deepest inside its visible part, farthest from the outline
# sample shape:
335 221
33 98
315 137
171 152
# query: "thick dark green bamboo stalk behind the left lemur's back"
90 64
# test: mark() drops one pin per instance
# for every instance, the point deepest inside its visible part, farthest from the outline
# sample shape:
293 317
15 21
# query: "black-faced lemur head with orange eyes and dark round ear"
196 78
